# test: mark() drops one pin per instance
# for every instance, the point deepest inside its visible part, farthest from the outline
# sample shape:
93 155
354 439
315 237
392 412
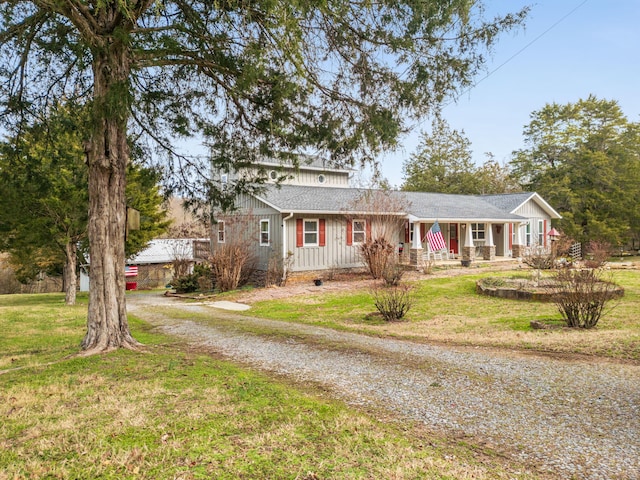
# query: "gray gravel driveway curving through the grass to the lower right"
571 419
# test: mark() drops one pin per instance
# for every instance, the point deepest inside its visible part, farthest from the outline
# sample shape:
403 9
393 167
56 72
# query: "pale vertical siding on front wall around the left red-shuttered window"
335 253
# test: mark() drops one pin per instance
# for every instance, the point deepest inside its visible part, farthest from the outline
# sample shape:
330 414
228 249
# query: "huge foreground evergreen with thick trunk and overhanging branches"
259 78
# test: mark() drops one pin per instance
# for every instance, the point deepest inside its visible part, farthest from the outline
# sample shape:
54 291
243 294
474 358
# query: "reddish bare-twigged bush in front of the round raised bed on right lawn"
581 296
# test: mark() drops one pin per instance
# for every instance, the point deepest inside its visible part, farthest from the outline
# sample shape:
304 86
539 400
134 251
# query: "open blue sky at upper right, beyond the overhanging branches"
594 50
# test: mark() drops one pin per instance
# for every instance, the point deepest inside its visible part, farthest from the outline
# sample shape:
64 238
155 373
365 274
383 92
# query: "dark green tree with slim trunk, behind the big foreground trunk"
44 199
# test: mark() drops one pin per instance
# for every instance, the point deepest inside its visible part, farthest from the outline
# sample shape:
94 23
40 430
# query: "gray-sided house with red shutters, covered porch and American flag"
318 221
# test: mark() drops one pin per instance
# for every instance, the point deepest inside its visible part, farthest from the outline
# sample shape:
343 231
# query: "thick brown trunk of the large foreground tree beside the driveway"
107 157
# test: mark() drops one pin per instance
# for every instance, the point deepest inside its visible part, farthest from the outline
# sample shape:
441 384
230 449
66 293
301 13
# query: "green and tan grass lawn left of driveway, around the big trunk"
174 412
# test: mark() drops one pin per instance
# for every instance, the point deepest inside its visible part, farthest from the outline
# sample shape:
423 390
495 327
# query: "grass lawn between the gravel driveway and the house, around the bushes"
449 310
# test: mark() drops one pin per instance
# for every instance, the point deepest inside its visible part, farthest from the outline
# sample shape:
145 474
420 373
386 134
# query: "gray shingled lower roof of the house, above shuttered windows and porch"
421 205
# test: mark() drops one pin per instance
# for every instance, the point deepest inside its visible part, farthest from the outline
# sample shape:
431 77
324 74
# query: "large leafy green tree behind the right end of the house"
584 157
